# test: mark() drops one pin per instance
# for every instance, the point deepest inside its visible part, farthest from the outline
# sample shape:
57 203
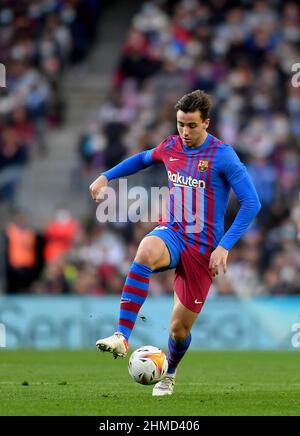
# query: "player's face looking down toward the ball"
191 128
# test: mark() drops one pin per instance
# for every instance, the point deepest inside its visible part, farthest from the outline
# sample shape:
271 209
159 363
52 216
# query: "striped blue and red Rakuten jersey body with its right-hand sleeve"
200 180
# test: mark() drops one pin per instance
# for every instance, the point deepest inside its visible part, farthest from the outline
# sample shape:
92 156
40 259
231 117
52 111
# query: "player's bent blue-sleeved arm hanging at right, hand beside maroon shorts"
239 180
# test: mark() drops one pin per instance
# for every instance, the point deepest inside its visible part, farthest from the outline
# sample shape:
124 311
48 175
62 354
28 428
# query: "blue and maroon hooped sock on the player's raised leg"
134 294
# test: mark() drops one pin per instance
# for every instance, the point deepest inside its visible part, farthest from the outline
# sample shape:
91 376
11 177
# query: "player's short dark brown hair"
195 101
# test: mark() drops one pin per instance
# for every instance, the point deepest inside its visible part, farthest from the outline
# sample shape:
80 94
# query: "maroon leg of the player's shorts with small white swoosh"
192 279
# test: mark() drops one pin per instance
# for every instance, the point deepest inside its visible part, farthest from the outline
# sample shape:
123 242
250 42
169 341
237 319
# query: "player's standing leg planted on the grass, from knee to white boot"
182 320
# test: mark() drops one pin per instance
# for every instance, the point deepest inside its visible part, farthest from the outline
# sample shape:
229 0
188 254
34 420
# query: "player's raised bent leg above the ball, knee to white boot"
152 254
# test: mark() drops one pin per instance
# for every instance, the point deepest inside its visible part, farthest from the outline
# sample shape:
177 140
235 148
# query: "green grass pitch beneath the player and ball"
93 383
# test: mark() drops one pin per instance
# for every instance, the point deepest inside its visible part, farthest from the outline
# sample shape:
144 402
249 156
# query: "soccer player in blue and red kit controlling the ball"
201 170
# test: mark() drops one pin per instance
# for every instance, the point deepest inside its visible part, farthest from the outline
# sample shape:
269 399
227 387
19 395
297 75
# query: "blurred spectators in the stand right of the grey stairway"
242 54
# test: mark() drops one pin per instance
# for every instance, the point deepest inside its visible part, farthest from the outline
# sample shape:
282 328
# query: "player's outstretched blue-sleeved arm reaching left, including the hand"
129 166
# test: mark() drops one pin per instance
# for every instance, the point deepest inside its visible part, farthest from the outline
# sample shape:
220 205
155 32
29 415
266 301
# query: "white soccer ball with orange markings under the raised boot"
148 365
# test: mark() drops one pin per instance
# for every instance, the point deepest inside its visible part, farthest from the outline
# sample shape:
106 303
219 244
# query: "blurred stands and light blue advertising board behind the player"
91 82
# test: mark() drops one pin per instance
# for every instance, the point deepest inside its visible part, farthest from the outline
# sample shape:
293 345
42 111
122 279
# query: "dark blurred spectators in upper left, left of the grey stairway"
38 40
